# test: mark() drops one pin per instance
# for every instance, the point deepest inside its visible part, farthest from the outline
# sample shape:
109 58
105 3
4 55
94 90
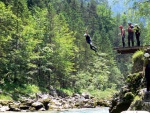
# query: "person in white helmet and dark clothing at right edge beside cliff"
146 70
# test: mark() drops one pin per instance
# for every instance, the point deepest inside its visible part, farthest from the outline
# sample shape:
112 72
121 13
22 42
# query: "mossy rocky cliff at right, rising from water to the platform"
133 95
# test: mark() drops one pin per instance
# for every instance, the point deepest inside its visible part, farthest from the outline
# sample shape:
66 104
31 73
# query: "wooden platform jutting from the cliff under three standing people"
128 50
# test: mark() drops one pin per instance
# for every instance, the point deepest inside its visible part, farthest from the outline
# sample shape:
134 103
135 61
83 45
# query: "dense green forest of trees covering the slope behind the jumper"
42 45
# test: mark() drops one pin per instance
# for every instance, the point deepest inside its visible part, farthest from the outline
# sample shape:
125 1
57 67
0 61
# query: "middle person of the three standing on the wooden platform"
130 34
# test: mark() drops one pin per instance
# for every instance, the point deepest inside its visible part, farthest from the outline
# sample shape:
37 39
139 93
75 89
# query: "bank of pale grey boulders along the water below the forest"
47 102
